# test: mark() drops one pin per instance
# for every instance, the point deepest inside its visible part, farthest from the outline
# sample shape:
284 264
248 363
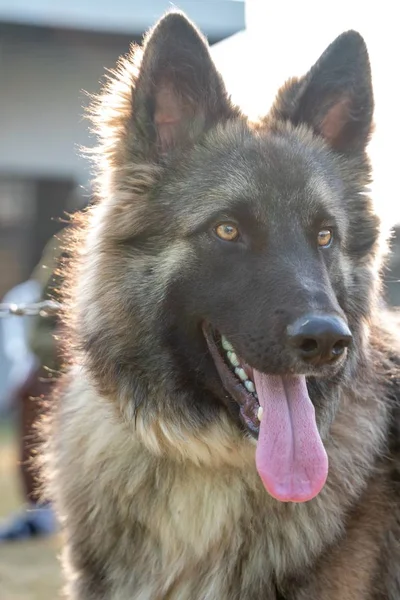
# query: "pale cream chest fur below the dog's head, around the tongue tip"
162 528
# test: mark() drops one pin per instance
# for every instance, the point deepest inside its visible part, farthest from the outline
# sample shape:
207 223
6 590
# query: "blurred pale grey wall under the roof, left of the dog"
41 124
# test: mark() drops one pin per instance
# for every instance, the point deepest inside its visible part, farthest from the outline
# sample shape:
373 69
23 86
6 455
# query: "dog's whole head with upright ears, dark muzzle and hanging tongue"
230 253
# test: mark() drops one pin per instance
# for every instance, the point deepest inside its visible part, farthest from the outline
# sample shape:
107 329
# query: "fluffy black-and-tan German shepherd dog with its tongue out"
228 429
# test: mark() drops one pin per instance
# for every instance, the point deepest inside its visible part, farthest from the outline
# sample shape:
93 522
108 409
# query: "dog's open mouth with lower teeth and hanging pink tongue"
290 456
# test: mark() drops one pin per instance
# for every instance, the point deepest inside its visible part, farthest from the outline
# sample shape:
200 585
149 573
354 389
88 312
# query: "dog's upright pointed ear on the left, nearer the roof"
178 92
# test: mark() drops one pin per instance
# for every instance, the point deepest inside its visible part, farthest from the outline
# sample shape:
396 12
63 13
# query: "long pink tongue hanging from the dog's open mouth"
290 457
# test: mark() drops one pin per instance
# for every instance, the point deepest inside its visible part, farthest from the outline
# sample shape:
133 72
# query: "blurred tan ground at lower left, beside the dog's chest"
28 570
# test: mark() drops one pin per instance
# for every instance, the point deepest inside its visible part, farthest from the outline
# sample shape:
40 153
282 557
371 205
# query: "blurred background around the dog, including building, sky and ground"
52 55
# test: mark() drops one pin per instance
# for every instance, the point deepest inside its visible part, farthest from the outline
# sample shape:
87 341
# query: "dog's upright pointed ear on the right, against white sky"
335 98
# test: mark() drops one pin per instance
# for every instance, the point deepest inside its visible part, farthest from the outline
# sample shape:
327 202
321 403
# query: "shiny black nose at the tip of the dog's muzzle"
319 339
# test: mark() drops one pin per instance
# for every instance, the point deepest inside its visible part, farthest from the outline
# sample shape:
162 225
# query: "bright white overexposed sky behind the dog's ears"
285 38
